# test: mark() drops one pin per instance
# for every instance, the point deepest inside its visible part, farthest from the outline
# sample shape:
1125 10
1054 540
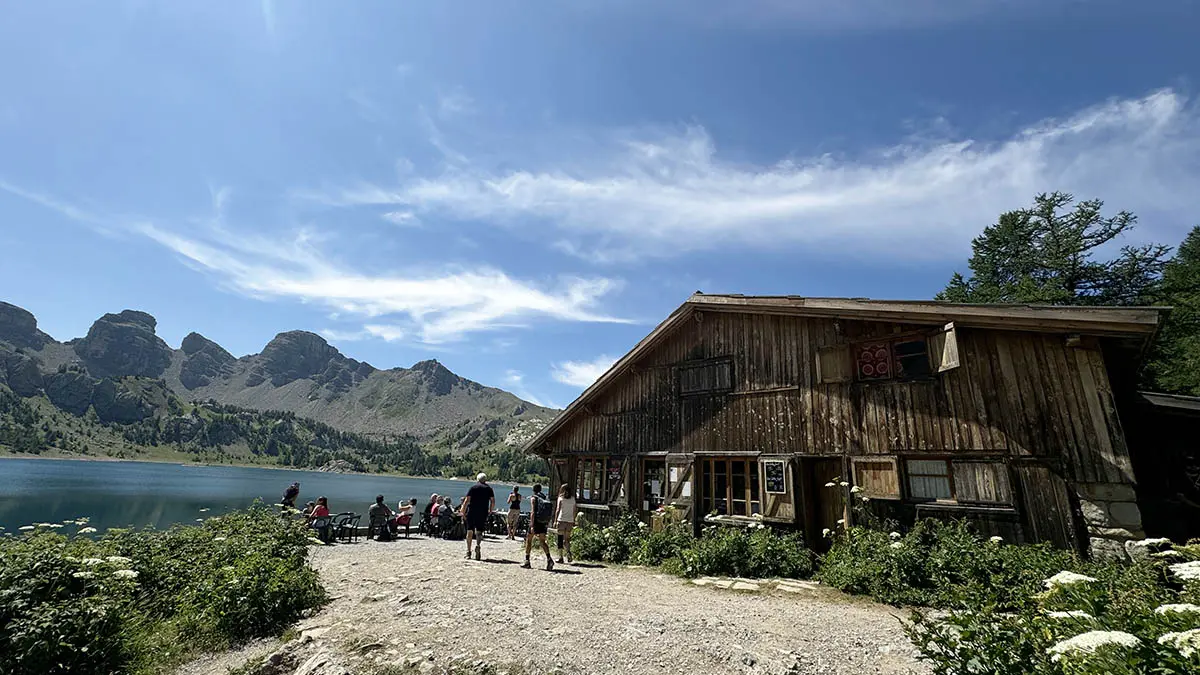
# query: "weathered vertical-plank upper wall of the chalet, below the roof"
1023 395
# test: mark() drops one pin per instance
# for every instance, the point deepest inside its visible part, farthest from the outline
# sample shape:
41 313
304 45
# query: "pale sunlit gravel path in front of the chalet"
418 607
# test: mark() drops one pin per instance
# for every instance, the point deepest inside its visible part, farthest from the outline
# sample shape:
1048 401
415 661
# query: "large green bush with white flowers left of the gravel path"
142 601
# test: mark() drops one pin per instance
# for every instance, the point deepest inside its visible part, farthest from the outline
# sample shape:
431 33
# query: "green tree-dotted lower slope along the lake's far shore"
221 434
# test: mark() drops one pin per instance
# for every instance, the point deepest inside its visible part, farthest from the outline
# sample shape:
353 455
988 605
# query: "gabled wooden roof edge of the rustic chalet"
1139 324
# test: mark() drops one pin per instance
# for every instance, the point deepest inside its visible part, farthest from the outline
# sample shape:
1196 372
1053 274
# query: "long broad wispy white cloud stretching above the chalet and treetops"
671 194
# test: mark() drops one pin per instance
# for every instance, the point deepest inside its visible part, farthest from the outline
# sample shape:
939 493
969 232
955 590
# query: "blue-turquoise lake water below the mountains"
122 494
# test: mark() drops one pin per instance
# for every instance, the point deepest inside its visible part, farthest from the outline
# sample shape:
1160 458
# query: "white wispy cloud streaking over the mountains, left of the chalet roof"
430 308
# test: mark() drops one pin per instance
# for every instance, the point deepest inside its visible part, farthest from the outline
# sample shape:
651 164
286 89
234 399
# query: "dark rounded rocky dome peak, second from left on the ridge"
124 344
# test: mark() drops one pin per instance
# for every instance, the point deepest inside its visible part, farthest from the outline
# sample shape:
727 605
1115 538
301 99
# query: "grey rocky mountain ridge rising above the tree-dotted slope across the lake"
125 374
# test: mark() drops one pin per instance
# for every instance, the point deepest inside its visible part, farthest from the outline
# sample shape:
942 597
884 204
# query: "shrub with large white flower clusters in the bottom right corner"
1102 619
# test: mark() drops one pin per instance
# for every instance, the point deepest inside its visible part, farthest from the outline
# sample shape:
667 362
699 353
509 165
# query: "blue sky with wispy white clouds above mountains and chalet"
523 190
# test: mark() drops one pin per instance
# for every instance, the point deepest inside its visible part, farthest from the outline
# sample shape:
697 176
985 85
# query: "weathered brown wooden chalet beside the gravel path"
745 409
